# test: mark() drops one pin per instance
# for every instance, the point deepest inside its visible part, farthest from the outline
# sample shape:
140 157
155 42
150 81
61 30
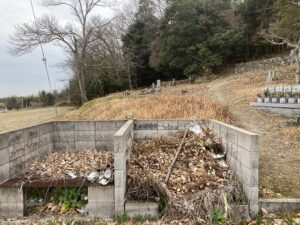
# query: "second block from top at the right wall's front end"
247 158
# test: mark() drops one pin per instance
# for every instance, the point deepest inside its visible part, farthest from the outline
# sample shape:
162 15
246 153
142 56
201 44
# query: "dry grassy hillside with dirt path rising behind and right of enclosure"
226 99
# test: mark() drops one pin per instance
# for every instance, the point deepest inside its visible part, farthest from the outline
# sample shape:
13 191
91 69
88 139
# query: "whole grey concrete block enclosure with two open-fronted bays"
18 148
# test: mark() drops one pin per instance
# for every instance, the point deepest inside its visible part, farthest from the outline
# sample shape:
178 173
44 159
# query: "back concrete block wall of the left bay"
83 135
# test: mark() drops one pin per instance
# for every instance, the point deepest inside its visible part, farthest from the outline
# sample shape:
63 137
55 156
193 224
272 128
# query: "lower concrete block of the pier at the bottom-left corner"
11 210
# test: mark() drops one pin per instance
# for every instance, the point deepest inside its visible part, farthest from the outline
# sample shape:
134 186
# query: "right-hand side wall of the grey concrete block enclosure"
242 157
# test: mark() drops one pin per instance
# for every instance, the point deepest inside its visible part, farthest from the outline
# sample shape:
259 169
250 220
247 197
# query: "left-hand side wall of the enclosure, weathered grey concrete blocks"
18 147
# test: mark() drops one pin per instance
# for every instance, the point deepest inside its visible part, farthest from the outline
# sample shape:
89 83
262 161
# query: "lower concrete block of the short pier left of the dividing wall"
102 210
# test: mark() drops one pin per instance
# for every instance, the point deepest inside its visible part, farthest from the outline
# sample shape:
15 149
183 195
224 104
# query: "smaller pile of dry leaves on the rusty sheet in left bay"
57 164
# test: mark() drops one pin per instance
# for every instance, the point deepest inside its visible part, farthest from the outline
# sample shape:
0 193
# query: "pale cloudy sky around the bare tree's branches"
26 75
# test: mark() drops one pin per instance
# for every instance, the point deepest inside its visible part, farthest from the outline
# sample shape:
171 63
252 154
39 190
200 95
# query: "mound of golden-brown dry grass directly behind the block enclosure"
167 105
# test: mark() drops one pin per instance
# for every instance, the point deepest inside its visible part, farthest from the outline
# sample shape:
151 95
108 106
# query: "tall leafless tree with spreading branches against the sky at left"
74 38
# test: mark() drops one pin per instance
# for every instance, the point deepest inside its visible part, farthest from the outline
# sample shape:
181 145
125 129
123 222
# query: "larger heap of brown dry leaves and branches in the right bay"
184 167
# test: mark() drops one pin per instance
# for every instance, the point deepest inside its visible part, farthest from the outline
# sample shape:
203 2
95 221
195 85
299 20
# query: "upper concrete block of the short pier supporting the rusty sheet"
101 194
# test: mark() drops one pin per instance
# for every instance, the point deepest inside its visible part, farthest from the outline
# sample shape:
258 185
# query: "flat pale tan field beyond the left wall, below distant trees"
12 120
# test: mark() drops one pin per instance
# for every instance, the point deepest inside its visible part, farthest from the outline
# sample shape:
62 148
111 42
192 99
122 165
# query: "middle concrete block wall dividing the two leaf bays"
123 141
